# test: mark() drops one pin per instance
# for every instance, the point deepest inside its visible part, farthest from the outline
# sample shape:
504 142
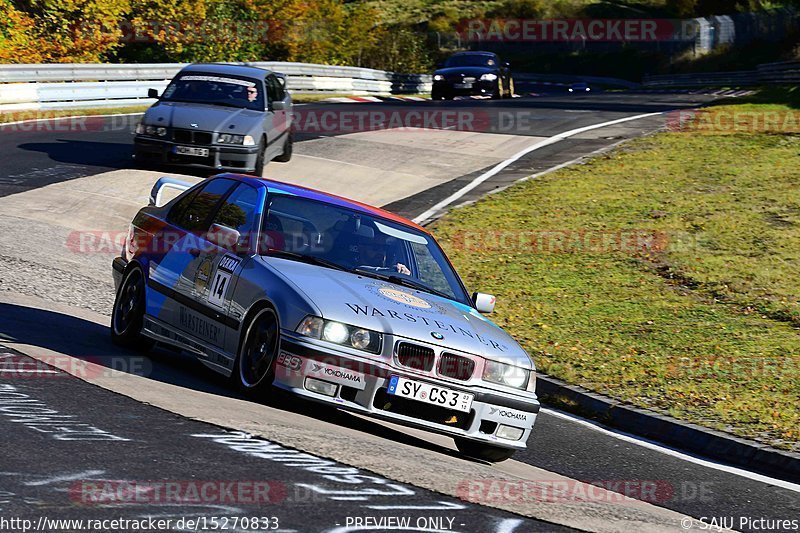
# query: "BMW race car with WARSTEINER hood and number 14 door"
274 284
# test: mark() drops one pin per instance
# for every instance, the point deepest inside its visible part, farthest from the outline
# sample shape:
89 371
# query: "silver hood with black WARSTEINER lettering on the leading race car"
401 311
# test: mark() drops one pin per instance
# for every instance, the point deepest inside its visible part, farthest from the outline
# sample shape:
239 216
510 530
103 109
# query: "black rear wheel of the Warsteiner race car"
127 316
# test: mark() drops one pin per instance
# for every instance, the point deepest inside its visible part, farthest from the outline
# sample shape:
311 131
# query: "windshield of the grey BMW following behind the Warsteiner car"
215 90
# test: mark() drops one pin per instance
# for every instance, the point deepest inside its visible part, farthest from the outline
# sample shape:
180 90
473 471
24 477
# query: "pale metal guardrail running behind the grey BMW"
62 86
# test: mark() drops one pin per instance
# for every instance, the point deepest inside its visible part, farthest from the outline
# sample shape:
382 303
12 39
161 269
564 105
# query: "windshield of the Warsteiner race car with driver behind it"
303 229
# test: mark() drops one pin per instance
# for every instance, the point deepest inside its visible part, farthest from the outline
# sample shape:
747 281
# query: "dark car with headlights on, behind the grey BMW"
472 74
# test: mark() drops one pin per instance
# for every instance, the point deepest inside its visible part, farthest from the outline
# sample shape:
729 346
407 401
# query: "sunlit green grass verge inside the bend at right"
703 325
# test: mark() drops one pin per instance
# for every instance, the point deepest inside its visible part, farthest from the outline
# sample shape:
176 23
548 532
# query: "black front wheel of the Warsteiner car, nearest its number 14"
254 370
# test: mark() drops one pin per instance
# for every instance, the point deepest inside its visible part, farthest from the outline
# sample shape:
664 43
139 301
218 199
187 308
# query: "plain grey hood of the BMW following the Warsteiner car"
202 117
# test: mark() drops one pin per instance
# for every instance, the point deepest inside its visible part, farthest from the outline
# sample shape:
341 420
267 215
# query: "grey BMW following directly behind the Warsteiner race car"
220 117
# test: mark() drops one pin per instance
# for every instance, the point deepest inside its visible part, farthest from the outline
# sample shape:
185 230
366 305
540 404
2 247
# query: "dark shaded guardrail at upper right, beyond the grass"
781 73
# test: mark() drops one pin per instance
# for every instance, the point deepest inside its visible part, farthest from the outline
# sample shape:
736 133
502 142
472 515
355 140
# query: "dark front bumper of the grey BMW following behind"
227 158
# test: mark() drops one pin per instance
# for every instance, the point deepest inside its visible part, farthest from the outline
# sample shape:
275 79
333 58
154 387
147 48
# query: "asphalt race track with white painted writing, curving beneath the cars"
133 423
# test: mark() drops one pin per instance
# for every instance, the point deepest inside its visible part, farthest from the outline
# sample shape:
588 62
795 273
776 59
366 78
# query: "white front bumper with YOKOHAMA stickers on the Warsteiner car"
361 384
